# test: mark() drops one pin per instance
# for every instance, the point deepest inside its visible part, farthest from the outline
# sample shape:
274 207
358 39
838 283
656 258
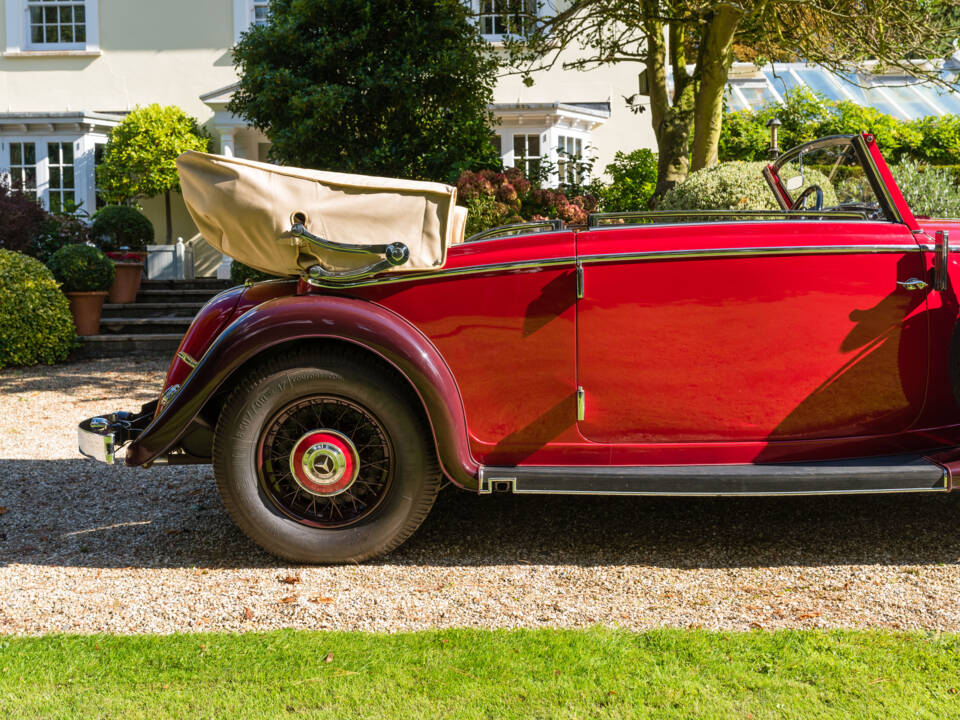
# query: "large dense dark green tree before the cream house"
370 86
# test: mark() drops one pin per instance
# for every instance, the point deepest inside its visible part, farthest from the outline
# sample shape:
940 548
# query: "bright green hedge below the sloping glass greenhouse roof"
807 116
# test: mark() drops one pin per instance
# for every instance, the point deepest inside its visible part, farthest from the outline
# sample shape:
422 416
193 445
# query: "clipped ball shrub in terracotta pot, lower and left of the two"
85 274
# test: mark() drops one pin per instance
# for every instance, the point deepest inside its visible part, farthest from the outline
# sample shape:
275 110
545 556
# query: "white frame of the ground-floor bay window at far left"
84 176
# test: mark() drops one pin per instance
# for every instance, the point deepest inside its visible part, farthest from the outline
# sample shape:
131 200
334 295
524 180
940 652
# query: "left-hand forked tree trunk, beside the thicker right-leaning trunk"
671 121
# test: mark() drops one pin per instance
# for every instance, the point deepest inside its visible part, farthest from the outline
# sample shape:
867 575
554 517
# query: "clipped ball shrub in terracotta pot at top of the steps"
124 233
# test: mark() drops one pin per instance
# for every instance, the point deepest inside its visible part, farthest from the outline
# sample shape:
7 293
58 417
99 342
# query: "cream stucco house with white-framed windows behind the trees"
70 69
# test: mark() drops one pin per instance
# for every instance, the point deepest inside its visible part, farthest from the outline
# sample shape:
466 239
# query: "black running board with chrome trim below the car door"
895 473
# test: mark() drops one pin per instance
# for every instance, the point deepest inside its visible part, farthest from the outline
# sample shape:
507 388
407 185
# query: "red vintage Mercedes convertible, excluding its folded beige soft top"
804 350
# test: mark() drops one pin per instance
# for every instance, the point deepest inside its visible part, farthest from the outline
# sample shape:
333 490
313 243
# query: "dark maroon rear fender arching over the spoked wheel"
364 323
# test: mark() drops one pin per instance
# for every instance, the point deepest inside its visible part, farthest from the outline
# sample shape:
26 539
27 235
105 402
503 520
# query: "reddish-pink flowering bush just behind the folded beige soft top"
500 198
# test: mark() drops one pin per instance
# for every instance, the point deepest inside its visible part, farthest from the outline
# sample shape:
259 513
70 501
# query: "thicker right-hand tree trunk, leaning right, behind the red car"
713 66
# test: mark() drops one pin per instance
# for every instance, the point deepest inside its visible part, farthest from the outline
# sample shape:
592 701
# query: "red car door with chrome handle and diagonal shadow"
752 331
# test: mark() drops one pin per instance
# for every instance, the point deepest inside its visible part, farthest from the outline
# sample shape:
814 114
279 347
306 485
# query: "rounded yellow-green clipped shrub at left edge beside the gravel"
35 321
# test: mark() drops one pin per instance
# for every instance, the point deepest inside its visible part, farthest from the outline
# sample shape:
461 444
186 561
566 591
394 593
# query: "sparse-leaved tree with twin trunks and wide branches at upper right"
687 46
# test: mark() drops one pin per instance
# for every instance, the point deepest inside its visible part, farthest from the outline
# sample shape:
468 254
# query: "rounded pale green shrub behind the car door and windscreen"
735 186
